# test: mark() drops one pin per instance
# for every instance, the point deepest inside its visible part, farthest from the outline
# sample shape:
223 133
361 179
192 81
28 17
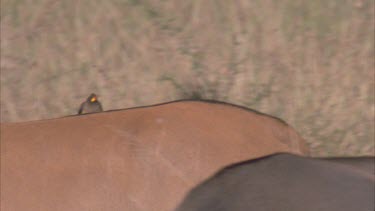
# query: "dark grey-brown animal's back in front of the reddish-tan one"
288 182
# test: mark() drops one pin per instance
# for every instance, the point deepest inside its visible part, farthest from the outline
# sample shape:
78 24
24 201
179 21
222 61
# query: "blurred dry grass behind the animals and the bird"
310 63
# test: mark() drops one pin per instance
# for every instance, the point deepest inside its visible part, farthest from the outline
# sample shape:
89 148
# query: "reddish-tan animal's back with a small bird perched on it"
135 159
